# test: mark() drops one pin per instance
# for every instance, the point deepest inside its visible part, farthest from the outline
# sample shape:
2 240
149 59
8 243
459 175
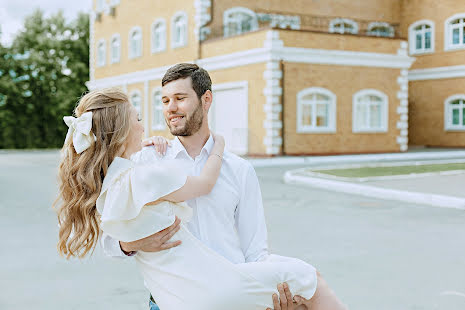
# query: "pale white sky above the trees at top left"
13 12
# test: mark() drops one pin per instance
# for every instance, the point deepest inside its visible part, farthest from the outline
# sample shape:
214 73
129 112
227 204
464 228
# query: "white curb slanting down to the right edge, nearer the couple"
435 200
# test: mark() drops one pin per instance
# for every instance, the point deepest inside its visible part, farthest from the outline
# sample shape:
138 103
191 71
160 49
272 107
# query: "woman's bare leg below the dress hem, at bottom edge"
323 299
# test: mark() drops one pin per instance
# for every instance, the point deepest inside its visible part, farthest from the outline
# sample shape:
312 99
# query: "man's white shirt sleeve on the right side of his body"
250 218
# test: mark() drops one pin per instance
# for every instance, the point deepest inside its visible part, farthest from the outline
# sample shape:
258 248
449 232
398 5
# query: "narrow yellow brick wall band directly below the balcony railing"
332 41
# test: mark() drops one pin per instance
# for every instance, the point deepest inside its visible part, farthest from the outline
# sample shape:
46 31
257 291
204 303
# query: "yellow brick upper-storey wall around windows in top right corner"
439 12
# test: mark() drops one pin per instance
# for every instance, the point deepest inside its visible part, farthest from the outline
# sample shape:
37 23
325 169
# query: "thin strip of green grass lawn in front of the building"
385 171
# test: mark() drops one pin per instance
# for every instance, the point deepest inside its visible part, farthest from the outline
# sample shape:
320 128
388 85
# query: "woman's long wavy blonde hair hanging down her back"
81 175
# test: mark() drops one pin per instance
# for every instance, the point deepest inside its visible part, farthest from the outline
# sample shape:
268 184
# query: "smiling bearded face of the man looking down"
182 108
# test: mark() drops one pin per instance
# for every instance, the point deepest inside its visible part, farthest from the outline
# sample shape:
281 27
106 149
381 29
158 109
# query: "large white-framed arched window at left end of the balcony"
239 20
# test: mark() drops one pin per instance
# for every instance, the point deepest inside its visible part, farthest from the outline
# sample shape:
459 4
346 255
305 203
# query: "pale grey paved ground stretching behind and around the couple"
376 254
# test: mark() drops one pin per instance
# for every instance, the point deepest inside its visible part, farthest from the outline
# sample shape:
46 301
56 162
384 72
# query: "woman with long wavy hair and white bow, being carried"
101 188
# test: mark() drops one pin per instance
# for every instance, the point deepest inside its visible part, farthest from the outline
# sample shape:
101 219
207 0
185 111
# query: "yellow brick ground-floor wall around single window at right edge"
426 112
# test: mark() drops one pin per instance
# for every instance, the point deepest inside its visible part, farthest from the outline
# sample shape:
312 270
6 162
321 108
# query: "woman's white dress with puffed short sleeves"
189 276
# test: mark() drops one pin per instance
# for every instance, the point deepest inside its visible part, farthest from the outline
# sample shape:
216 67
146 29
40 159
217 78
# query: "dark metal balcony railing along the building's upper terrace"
325 24
